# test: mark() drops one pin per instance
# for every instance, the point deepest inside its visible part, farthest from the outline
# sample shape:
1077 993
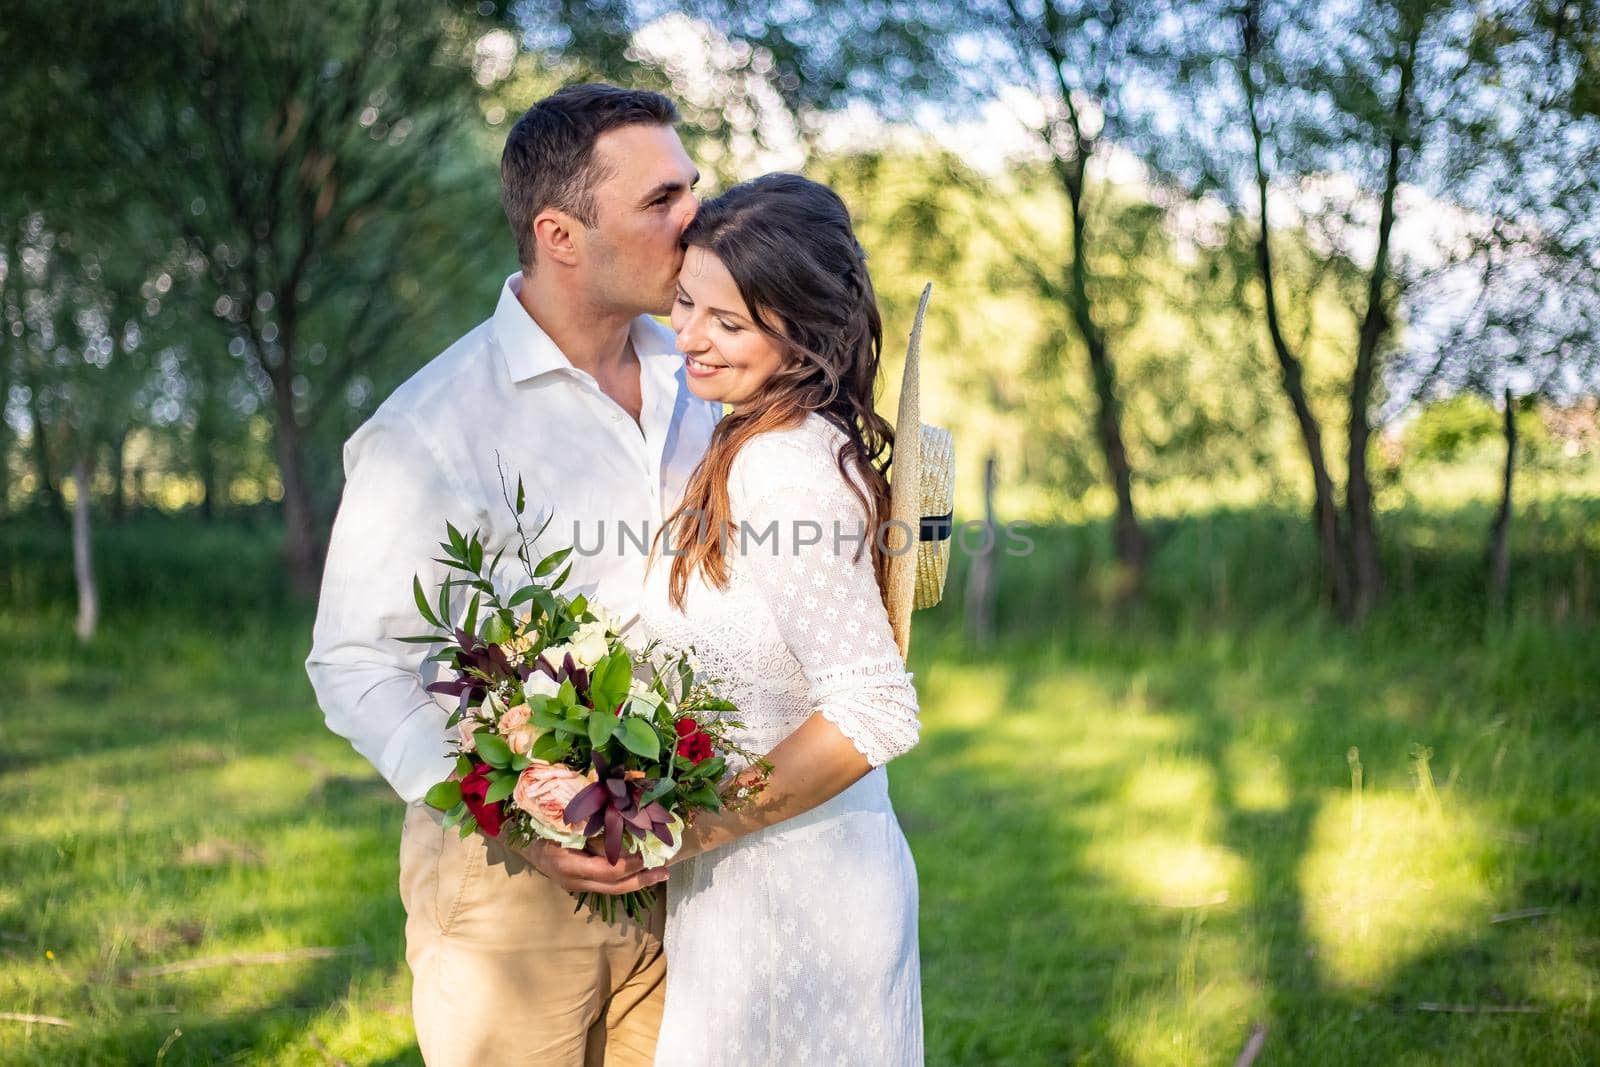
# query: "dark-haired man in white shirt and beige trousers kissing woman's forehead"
578 393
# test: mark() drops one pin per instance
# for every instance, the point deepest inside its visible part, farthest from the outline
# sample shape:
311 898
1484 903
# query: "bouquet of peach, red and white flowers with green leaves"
564 733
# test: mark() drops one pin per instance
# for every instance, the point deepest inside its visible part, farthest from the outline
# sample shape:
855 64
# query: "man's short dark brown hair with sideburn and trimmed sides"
550 154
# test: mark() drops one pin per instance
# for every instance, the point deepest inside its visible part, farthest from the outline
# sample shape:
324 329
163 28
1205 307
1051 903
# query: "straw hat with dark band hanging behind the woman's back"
922 494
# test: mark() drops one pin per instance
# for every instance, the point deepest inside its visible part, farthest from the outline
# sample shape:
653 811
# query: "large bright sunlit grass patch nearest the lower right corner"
1388 879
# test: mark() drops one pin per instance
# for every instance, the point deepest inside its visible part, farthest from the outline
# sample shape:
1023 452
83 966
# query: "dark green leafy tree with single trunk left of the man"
294 150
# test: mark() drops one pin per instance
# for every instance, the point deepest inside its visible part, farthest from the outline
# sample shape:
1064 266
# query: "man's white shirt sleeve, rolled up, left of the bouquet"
398 498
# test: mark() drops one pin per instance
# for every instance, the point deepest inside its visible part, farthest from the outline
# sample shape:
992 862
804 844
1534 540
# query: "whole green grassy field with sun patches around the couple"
1140 836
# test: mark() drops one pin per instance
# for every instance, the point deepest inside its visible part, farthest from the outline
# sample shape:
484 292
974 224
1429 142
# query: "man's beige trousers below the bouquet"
506 973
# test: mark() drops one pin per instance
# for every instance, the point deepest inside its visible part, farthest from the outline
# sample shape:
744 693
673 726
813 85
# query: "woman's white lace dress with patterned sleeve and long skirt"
798 945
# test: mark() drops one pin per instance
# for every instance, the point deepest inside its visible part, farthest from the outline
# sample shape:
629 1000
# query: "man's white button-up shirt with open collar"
503 394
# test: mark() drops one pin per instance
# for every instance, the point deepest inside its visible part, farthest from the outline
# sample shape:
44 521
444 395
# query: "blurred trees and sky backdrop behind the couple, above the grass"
1186 257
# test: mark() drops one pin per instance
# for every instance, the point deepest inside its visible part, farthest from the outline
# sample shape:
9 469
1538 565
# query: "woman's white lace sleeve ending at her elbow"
801 527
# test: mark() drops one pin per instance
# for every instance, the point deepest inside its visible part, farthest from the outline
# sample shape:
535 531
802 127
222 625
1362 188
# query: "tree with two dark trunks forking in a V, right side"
1313 119
